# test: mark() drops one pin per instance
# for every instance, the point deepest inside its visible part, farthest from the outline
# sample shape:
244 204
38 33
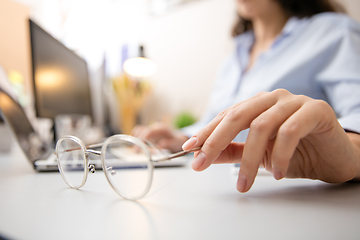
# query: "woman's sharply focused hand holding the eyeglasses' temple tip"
290 135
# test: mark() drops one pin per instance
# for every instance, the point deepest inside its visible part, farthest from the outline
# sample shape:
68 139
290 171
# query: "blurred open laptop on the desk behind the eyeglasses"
41 154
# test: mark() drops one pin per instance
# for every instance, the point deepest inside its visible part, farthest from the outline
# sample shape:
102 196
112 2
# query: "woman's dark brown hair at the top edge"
297 8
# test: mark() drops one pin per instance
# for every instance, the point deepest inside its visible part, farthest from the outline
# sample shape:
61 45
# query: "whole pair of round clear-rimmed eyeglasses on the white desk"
127 162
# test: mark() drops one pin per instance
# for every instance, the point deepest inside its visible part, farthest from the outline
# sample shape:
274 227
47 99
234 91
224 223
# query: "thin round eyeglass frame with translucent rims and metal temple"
144 144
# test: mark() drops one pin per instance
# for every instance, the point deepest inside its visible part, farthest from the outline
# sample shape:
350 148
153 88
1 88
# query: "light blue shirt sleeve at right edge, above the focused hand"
340 78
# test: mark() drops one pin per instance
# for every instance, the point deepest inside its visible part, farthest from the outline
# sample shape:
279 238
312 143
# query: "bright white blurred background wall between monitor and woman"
188 43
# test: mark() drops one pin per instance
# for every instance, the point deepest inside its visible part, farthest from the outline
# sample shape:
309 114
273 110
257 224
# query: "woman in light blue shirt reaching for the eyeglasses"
307 49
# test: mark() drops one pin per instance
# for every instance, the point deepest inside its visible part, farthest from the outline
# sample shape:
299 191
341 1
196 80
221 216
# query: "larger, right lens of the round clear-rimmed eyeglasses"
127 166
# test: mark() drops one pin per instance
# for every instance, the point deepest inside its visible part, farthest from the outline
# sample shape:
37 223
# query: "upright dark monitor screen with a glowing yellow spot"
60 77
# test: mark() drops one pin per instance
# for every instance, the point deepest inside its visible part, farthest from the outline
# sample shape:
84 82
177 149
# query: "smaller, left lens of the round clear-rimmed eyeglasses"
72 162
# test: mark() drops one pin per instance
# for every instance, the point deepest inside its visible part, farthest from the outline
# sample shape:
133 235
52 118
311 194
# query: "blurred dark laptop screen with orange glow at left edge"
21 127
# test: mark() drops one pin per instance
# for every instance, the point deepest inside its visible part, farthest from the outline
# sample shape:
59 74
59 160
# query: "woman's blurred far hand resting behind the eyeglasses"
160 135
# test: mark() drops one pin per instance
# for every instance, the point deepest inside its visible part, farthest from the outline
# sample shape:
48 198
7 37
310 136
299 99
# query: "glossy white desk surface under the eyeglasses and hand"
182 204
